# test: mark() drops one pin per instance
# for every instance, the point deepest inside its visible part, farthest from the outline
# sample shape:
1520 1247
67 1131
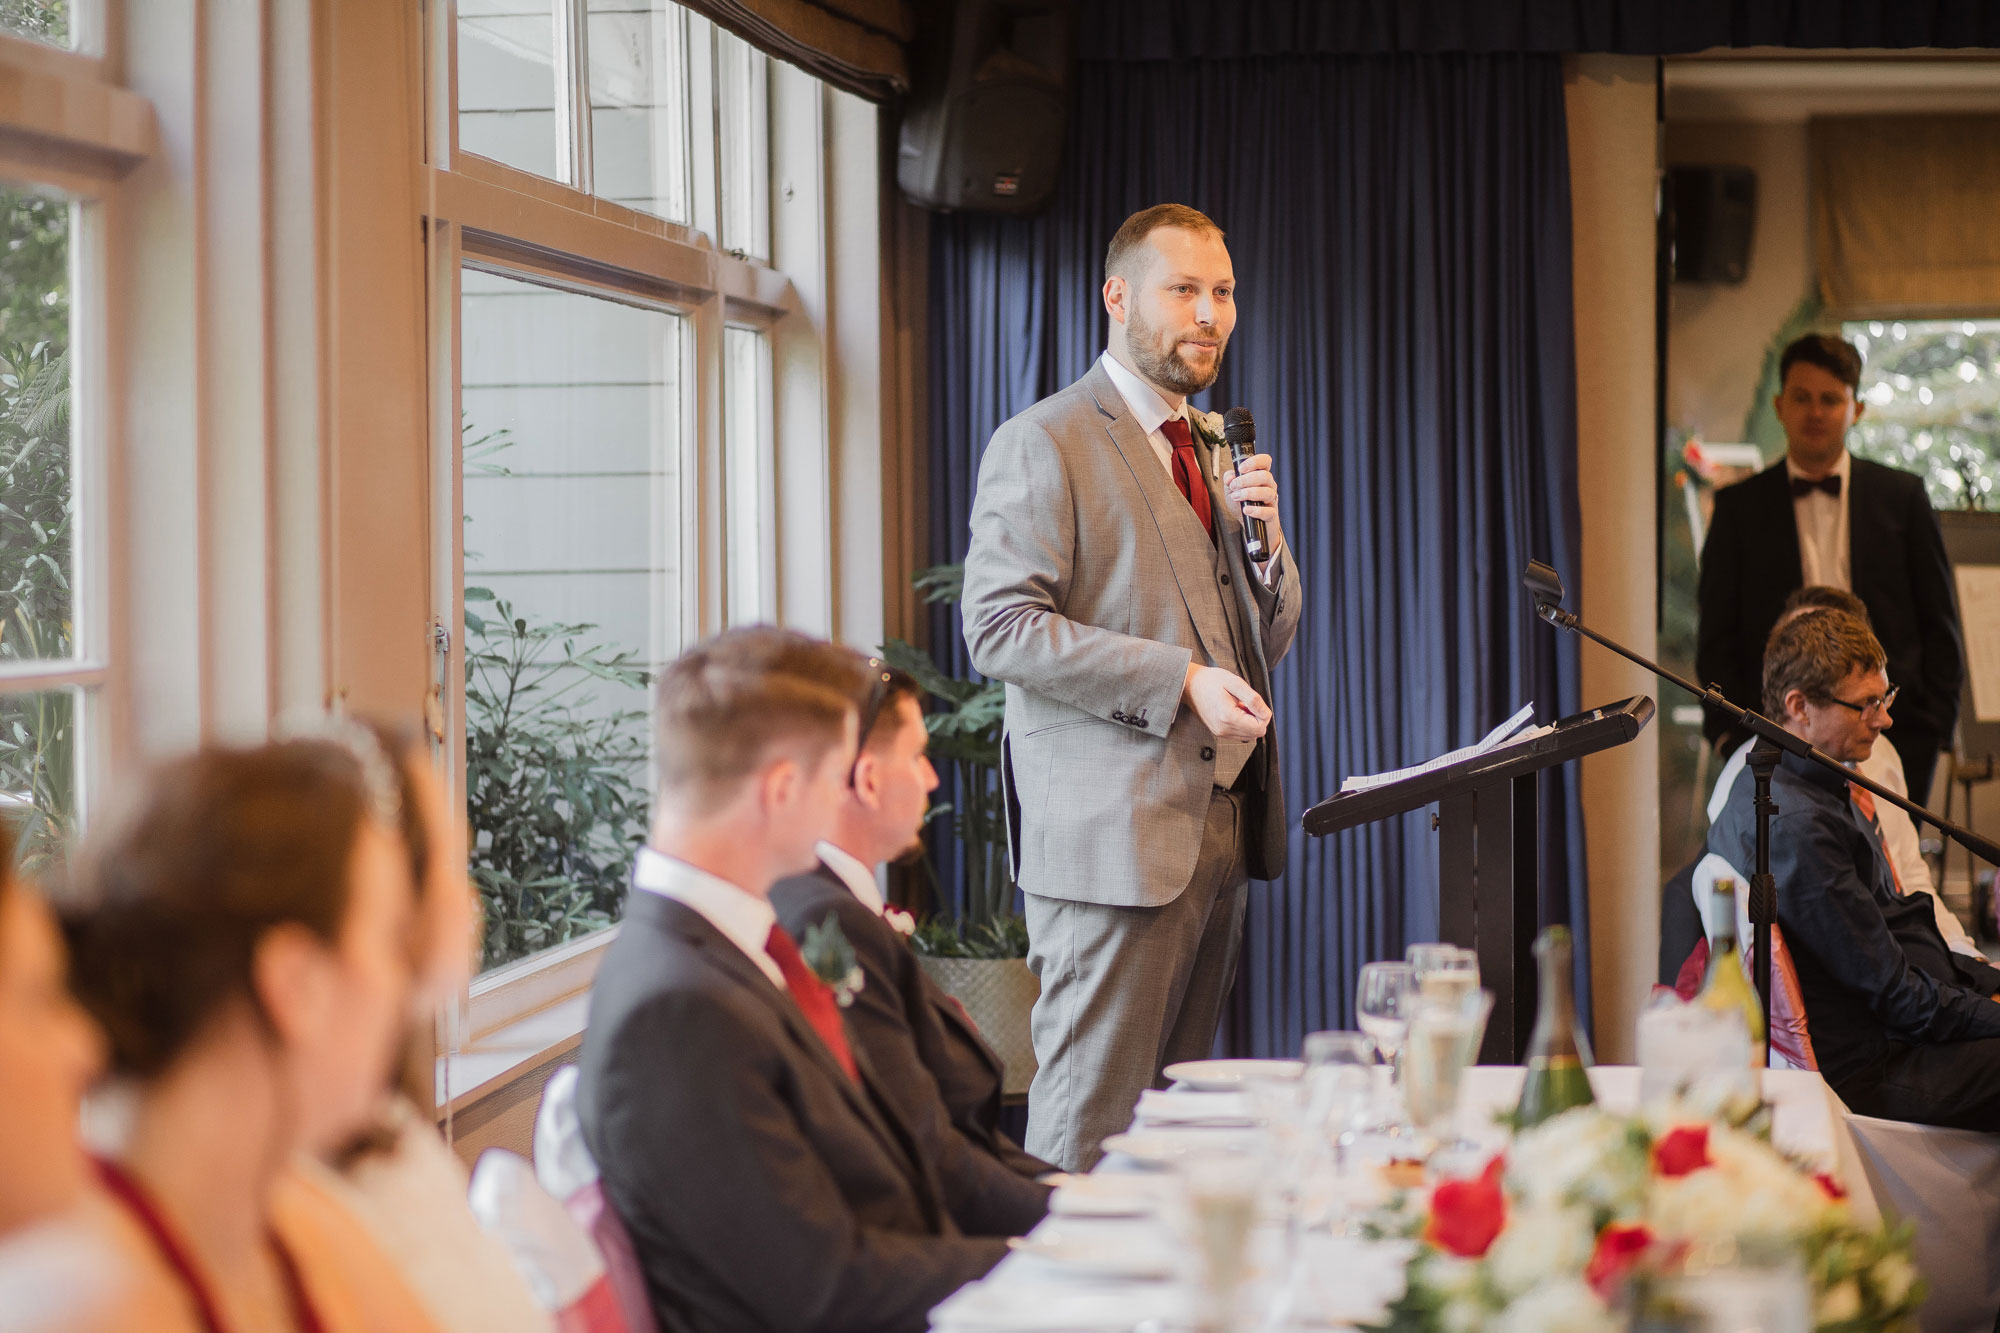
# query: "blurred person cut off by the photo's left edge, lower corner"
49 1054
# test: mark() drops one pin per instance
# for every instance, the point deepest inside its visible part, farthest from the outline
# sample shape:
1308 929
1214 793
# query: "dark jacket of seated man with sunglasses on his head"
937 1066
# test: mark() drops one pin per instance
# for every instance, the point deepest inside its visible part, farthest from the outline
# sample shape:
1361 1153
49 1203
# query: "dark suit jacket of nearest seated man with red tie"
763 1188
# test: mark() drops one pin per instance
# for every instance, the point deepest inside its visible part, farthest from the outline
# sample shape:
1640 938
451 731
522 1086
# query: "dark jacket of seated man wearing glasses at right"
1871 964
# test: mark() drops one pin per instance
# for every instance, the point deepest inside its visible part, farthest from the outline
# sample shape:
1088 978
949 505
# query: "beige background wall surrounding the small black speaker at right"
1719 331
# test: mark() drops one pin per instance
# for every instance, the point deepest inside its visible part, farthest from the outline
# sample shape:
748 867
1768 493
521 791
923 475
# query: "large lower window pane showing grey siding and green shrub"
573 595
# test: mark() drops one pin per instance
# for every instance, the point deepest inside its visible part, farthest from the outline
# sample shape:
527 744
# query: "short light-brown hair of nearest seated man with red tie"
727 706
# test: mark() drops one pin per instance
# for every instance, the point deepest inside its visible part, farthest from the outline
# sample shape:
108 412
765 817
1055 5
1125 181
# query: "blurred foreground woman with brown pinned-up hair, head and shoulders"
243 934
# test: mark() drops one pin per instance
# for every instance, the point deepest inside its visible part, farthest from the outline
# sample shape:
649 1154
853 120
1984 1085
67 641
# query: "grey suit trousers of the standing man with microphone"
1129 992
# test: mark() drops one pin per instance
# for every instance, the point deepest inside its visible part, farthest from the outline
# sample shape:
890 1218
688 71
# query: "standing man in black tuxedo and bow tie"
1825 517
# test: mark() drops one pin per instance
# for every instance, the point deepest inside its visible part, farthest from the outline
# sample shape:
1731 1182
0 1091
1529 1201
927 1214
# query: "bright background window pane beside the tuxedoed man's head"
1933 405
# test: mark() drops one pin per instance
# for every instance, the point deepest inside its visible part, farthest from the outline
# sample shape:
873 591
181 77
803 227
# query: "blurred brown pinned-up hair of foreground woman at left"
165 912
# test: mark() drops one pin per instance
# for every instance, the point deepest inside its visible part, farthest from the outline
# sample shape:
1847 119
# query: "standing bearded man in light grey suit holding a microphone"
1107 585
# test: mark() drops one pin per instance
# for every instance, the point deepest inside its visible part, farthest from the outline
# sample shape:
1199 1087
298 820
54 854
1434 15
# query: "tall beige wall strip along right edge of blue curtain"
1613 179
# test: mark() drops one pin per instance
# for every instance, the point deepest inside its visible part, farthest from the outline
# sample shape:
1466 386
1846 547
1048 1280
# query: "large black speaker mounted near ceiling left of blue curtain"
991 93
